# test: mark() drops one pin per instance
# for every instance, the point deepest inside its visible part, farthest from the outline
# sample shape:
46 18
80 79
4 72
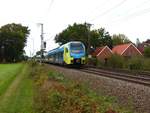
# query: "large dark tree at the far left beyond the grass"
13 39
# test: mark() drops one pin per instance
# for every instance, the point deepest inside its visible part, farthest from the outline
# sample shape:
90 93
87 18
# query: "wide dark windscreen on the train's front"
76 47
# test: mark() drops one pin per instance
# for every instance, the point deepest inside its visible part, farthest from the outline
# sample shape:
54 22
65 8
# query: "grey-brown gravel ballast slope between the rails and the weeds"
129 94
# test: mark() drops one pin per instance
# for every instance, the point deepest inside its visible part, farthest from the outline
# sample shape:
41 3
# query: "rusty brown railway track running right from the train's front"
142 79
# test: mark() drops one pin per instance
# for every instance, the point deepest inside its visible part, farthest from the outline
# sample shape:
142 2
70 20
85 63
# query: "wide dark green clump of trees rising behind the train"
82 32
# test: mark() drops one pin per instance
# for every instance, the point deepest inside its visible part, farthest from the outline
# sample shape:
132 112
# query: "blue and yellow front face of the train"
77 53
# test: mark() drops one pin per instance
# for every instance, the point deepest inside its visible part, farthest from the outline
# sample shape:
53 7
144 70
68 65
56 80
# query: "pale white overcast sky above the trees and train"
130 17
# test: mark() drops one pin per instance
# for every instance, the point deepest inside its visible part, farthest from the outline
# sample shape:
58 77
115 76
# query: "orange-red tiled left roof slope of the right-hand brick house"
120 48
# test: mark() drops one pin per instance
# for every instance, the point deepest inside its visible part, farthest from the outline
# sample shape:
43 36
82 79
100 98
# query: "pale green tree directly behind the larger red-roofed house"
120 39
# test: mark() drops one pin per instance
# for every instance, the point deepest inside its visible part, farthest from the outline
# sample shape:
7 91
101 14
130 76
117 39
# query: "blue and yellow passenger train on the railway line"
71 53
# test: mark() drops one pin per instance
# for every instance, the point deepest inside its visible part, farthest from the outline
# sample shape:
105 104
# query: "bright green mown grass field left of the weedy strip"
16 91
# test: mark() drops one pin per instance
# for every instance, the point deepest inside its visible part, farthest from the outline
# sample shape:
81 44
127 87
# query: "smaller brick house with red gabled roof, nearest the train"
102 53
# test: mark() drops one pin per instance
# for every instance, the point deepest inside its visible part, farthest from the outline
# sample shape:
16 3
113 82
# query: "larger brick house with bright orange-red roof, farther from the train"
126 50
